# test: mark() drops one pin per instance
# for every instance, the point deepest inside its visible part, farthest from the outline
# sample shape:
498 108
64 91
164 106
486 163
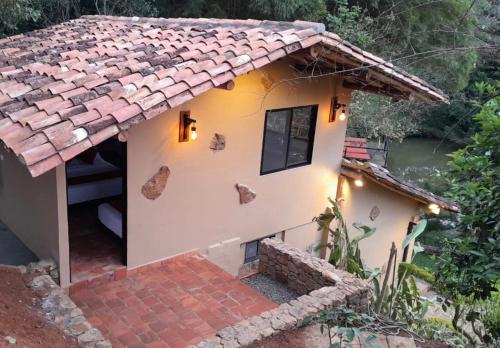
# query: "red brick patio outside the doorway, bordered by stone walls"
177 303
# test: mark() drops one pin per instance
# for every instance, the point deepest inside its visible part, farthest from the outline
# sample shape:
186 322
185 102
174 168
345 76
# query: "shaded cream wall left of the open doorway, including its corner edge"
35 210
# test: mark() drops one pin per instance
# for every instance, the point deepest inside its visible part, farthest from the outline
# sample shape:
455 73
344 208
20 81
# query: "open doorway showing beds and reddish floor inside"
97 216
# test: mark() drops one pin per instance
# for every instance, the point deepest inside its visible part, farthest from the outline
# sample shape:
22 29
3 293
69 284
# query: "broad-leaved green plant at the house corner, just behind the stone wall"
344 250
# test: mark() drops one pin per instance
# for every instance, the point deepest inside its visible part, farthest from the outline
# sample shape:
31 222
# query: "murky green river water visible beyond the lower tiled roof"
415 159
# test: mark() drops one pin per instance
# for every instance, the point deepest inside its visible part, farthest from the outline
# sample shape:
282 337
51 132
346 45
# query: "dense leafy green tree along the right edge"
469 268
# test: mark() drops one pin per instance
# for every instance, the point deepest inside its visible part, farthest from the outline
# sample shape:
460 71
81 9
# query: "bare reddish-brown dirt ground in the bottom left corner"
22 319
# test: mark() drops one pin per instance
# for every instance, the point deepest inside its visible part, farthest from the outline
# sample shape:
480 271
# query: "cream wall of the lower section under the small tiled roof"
396 212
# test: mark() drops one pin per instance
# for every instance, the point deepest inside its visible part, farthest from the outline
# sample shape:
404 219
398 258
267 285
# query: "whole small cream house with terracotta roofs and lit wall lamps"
127 141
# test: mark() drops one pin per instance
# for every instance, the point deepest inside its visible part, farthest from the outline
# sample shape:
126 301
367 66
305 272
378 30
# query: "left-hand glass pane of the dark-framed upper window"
275 141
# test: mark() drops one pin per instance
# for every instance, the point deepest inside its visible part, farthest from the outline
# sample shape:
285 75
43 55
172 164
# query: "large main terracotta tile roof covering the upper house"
73 85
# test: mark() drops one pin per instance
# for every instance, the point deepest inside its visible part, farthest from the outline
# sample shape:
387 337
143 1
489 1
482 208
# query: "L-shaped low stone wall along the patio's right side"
321 285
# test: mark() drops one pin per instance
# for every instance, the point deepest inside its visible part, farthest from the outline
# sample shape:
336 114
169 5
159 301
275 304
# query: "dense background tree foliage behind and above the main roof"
421 36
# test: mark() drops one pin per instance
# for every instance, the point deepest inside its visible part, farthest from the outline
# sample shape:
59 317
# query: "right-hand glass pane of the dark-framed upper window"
299 136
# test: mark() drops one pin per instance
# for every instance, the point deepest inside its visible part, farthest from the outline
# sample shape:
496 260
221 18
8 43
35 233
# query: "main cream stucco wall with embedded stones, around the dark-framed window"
200 206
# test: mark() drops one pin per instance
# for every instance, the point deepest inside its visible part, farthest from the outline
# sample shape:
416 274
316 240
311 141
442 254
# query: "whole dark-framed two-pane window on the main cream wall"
288 138
